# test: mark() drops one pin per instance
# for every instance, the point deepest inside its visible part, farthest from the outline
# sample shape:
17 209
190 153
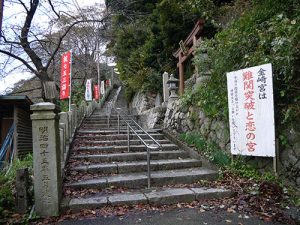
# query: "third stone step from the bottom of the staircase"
137 166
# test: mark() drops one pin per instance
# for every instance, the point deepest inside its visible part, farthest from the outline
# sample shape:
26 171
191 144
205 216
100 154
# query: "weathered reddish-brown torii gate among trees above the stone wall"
185 51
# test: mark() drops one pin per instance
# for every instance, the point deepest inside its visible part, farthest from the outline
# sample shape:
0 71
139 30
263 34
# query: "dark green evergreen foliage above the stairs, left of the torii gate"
145 38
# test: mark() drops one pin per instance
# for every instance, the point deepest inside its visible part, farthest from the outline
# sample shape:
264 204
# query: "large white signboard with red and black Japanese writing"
251 111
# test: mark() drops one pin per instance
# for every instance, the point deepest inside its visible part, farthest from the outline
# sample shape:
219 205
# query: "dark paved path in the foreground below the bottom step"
174 217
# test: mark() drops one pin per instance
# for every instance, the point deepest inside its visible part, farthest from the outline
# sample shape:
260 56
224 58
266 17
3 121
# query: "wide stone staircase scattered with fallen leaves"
101 171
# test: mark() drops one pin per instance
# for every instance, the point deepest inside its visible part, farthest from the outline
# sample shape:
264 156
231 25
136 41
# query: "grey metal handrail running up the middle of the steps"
148 146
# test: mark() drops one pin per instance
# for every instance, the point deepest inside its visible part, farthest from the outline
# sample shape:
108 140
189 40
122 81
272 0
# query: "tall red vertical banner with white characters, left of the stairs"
65 75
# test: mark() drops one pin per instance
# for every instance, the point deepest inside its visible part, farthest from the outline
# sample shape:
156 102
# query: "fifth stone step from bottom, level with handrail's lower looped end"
123 148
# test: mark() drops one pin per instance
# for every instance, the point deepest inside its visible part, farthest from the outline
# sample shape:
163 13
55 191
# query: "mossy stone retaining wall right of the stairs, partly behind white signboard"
180 119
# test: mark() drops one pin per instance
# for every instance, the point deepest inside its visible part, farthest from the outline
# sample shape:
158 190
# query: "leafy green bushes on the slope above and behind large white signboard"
268 33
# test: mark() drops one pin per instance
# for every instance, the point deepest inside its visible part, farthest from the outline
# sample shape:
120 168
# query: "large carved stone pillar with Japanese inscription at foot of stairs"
46 158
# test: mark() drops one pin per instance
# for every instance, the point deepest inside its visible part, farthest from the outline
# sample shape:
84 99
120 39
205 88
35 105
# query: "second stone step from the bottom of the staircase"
139 180
